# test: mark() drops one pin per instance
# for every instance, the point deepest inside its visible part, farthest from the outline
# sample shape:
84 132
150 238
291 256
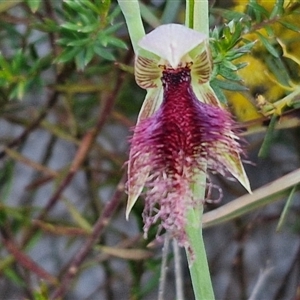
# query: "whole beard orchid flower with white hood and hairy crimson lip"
182 128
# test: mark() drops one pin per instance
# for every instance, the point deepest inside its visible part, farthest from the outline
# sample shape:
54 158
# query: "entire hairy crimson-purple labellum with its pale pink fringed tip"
182 137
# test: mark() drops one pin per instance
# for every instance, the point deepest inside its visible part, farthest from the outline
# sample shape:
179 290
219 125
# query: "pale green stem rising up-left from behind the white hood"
132 14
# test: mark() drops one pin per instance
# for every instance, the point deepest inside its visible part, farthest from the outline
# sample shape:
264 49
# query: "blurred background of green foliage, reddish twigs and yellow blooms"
67 102
